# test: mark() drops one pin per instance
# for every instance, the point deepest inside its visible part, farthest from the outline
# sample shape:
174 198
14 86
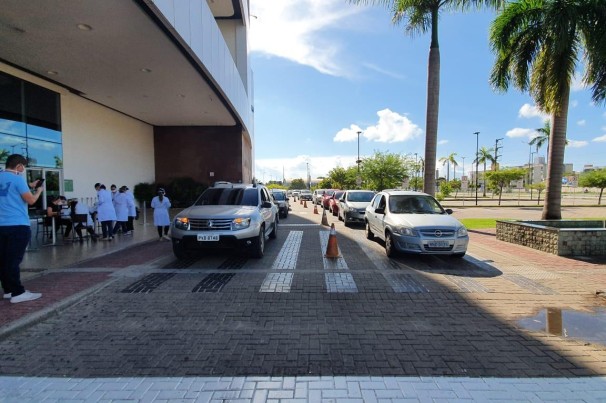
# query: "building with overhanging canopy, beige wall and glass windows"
126 91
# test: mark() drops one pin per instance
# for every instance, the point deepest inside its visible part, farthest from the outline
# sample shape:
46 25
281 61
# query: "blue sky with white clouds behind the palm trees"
325 69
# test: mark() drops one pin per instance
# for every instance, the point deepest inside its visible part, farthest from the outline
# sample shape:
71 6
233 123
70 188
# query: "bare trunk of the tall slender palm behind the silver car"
433 103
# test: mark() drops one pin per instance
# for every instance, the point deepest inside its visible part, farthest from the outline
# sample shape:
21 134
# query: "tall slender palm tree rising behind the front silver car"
421 16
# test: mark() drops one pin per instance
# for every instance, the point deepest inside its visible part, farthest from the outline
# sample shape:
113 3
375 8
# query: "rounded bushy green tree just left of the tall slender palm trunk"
383 171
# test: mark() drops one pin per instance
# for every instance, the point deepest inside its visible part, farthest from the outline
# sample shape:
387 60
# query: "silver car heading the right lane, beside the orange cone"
414 222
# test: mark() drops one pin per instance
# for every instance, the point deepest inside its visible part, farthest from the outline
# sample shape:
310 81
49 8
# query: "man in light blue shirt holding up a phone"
15 231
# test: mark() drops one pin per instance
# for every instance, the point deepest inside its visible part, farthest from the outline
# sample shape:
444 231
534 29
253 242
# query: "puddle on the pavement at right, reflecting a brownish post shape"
578 325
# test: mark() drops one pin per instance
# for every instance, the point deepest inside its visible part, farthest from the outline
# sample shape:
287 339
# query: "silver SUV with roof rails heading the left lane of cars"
226 216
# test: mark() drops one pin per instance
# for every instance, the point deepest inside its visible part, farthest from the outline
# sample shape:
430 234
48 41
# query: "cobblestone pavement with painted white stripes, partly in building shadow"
296 326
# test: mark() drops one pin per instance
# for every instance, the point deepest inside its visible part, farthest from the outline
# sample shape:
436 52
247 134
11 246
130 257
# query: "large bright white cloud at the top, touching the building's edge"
296 30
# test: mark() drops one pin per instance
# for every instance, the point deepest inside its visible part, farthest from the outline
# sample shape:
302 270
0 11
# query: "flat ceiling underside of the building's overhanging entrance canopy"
113 53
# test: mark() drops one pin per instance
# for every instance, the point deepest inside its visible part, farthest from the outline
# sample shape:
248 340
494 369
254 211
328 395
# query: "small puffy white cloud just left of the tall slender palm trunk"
391 128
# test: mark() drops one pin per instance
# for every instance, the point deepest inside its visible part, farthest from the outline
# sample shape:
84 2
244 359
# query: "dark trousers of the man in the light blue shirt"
13 241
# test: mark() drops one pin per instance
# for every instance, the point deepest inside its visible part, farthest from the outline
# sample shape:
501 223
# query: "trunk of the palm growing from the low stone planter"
552 209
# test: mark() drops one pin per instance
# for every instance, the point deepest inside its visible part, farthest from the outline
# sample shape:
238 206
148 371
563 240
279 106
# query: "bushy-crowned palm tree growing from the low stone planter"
537 45
